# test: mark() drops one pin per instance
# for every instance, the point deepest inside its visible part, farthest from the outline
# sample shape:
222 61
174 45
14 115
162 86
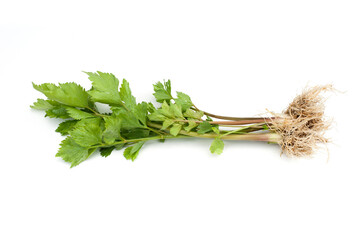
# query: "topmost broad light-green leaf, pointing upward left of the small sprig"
105 88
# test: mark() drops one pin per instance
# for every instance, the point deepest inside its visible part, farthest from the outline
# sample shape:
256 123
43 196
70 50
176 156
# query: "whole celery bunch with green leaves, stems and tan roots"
298 129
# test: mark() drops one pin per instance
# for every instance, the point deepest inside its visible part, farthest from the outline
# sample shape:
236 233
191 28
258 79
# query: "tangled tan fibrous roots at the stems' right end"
303 124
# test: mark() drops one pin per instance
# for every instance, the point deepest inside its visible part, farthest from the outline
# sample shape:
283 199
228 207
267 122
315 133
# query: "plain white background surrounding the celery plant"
232 58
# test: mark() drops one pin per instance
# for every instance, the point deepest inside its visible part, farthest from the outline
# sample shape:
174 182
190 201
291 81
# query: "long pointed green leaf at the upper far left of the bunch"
70 94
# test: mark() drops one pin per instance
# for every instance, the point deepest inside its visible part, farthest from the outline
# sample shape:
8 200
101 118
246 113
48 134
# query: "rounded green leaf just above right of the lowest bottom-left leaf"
87 135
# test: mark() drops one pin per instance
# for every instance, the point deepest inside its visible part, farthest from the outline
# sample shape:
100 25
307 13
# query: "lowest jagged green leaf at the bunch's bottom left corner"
71 152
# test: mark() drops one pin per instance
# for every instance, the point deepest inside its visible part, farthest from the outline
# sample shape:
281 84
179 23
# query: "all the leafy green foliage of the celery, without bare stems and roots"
129 124
